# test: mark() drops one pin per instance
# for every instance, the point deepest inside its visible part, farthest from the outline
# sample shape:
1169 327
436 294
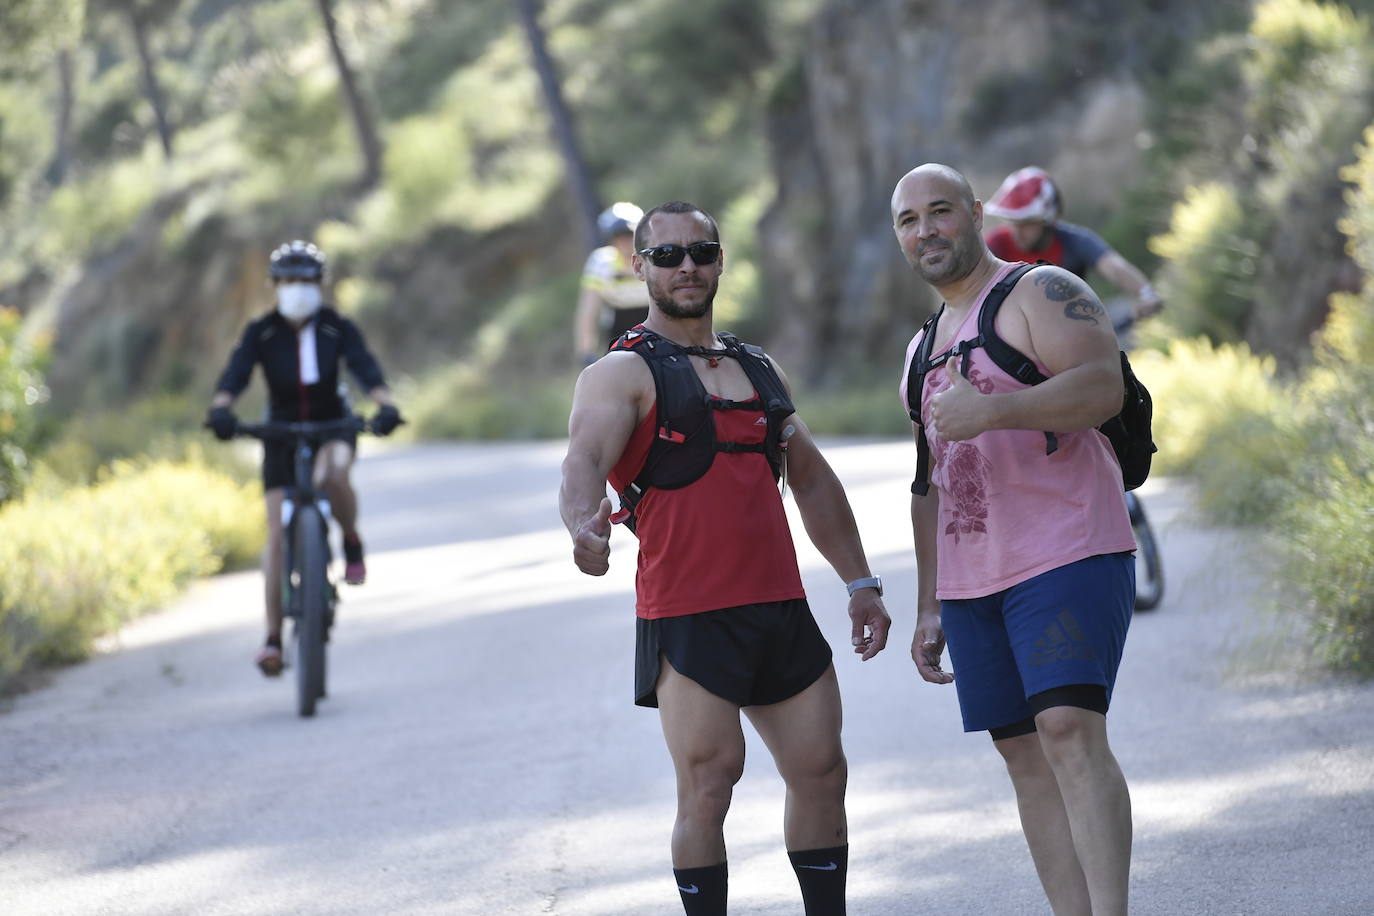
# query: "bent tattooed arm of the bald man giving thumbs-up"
1055 318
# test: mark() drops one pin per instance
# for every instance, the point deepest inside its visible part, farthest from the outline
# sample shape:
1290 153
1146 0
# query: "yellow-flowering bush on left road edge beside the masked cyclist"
79 564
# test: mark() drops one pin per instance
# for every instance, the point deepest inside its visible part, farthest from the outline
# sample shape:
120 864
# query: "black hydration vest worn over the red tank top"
685 443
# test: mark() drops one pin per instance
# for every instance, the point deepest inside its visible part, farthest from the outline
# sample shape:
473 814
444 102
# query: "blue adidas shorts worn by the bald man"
1060 628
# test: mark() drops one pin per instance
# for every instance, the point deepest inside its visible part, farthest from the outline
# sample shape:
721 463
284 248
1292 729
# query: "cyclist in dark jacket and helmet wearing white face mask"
300 345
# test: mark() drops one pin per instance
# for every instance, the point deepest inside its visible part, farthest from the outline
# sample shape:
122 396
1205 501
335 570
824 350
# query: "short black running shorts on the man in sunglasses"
751 656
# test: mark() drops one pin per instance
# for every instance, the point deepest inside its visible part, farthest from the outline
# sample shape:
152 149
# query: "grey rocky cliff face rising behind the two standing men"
890 84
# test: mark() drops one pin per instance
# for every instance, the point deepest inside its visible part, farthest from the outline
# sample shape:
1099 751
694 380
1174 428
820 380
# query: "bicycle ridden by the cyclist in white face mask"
308 593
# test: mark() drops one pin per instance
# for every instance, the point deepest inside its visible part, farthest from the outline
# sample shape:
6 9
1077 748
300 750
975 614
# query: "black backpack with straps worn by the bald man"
1129 431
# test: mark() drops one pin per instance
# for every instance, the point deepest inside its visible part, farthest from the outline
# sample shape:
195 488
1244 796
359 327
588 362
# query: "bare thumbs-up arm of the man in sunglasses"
607 407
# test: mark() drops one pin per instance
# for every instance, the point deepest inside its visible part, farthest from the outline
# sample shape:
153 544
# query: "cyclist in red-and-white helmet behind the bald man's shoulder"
1031 204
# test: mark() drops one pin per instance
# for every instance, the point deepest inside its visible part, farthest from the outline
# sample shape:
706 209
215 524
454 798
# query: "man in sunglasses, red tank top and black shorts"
723 623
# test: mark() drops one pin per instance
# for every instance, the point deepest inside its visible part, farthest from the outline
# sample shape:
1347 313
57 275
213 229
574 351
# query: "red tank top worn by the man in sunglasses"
722 540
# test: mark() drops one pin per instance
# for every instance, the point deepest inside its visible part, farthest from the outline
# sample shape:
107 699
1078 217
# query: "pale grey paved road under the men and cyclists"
480 753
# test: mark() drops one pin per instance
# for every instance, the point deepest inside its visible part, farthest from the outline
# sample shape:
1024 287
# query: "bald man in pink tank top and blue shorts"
1024 551
